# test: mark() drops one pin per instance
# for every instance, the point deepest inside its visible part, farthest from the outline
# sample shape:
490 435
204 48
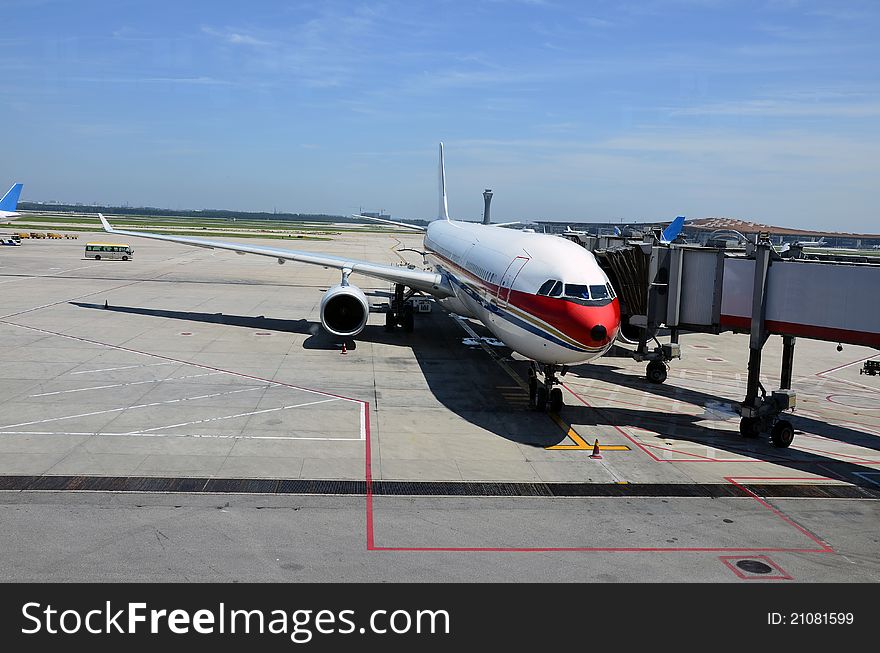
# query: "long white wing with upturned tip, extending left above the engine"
429 282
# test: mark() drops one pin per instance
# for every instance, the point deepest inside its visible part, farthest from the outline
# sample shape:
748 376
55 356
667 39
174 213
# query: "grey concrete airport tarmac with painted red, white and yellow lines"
181 416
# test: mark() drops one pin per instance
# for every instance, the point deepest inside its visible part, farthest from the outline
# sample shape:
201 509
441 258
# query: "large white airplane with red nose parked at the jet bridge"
543 296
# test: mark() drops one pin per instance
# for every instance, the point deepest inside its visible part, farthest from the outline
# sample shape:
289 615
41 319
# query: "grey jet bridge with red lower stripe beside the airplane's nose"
756 291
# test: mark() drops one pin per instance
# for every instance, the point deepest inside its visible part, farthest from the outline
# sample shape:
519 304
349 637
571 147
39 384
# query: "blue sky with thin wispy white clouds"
605 110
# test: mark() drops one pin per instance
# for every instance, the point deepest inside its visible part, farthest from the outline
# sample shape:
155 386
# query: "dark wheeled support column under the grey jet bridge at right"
760 413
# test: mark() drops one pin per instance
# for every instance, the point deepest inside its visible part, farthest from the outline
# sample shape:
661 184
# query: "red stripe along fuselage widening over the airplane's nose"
572 319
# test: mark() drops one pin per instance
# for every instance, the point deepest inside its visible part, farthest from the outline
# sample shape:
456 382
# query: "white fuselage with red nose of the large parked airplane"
504 278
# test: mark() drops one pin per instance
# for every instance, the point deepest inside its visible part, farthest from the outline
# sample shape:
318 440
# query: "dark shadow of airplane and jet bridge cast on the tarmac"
469 383
